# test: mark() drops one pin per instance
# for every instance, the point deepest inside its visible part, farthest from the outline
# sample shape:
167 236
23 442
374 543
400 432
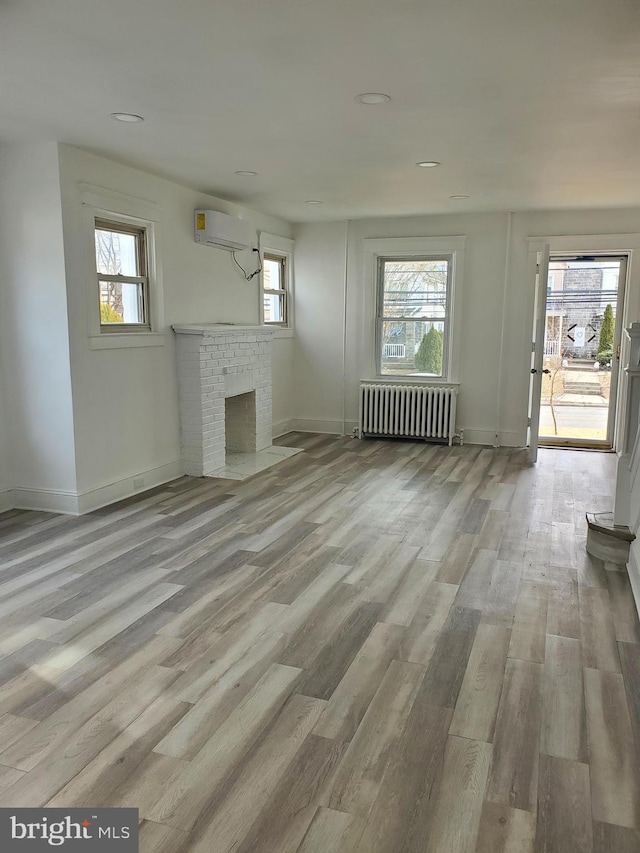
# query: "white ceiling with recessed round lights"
528 104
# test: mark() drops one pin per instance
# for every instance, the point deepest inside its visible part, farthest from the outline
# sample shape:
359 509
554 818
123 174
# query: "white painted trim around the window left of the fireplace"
102 204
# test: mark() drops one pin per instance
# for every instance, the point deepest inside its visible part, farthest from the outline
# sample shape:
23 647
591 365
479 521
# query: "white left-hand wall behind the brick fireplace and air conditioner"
125 400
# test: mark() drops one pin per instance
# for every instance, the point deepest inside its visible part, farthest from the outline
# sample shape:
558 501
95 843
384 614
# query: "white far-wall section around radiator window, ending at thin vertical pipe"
320 281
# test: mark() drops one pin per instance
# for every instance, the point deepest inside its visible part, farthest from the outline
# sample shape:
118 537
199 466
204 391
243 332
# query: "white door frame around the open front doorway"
605 244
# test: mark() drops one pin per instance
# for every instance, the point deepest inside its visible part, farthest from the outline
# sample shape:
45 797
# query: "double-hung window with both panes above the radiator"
414 308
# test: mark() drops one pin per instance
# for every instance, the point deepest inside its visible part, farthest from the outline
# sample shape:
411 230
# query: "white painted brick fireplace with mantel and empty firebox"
224 386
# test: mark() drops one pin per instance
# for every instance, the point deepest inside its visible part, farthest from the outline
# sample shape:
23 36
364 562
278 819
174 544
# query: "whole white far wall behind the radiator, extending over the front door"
320 282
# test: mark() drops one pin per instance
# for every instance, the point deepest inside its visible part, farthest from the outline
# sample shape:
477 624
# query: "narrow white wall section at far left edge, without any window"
34 340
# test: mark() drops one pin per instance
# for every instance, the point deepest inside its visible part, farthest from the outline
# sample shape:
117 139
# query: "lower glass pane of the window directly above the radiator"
412 348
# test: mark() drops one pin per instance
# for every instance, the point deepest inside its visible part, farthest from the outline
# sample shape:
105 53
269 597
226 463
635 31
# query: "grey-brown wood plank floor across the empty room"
377 647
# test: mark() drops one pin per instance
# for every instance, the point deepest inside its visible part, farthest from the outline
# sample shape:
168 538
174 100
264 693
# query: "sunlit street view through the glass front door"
581 350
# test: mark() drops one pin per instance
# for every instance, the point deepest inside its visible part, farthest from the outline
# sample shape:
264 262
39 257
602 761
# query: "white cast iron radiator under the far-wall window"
408 410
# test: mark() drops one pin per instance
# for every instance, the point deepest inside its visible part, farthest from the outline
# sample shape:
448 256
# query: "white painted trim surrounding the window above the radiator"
403 248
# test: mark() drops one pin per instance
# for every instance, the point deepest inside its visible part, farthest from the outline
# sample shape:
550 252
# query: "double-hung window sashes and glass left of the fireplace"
122 271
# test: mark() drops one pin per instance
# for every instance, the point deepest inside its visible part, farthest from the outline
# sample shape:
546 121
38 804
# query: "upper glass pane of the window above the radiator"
415 288
